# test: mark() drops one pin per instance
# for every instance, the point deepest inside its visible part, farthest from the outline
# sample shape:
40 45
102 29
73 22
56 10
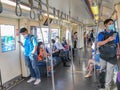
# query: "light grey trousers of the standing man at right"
108 67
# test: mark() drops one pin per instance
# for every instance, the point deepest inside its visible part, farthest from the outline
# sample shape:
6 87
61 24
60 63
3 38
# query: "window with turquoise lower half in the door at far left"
7 38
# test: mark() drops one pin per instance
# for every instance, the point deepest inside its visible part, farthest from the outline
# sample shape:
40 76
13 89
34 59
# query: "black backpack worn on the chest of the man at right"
108 51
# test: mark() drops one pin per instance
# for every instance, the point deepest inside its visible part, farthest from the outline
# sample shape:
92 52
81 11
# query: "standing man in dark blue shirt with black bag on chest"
108 43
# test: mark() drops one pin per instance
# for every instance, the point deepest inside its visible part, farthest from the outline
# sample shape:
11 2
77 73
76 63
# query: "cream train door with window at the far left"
9 49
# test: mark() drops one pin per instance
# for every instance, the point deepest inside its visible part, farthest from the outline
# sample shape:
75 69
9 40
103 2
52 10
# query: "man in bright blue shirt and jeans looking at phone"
30 52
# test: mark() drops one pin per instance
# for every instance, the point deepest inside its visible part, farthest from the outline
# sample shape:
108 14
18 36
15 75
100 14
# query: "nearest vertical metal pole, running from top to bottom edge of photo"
53 82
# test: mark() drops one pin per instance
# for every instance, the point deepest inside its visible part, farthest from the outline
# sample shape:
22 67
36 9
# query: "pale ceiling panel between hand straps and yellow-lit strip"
78 8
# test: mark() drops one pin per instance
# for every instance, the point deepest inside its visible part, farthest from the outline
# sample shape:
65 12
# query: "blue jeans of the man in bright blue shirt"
32 63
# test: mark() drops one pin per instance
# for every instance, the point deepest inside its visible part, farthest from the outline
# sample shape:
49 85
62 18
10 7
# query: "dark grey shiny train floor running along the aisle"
64 78
